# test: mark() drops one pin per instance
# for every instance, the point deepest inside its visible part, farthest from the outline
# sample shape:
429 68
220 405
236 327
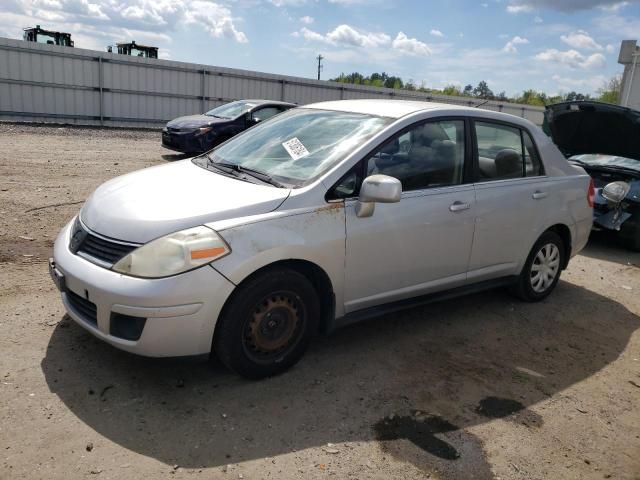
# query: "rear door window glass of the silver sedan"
505 152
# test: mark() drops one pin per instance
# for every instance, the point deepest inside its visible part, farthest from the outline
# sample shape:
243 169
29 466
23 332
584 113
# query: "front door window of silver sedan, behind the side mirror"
426 156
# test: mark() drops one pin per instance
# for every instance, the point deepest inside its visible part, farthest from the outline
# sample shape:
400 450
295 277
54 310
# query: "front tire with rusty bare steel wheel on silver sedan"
267 325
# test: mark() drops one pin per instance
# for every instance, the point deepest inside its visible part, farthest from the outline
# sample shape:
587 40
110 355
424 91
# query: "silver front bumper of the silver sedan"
180 311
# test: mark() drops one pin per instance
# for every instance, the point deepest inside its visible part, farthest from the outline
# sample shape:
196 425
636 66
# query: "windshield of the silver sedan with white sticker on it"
296 147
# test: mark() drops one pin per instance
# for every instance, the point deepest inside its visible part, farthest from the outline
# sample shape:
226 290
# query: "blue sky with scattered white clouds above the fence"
555 46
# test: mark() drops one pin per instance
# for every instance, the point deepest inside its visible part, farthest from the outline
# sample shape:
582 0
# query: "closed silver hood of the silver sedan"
153 202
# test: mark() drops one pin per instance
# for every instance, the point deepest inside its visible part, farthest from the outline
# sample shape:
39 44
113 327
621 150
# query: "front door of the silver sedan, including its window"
421 244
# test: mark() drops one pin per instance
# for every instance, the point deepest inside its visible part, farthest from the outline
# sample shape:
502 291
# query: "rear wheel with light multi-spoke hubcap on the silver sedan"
542 269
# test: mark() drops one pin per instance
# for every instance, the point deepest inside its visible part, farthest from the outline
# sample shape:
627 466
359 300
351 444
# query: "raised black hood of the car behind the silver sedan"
592 127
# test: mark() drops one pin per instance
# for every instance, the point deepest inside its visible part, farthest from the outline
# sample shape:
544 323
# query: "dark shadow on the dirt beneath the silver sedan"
413 381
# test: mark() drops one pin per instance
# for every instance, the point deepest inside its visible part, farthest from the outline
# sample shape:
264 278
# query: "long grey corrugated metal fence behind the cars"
47 83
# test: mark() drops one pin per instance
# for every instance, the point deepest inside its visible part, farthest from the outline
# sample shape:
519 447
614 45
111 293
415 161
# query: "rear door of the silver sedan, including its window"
512 196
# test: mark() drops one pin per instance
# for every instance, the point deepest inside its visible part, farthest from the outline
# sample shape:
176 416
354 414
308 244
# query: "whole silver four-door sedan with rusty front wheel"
321 216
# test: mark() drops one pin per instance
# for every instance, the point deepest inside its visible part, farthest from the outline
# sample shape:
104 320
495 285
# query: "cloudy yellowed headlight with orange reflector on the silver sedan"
174 253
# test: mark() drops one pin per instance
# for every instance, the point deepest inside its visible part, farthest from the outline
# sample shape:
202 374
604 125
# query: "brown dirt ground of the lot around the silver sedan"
475 388
